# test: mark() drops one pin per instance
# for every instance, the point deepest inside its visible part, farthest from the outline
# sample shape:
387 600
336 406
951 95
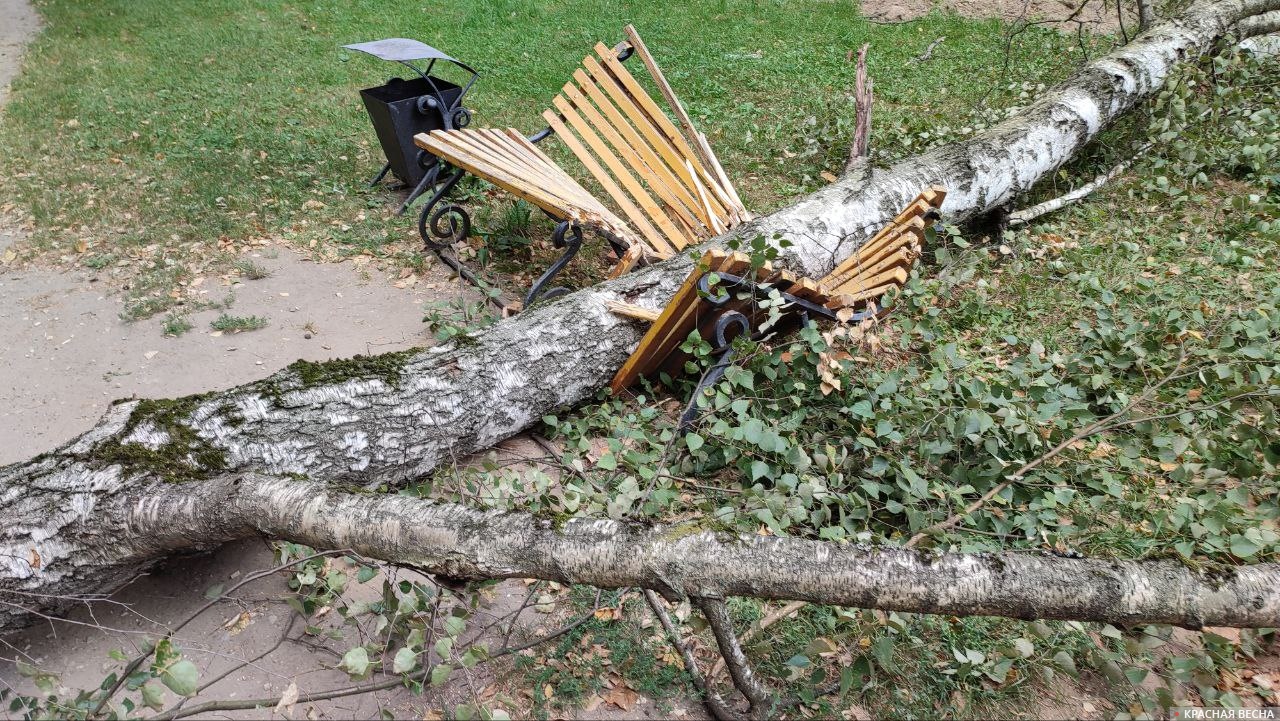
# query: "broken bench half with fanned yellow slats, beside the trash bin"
665 189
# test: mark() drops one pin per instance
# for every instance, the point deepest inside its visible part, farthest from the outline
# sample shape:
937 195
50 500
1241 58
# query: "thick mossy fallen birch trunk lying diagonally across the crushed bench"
86 517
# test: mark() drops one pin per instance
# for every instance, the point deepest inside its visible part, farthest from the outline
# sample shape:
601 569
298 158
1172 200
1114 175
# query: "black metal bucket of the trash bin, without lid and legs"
400 111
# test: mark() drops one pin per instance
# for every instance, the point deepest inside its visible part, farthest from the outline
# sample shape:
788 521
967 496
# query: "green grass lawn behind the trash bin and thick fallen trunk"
152 138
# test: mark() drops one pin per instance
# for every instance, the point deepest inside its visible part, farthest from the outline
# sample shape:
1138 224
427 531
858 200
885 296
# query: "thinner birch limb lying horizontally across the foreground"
470 544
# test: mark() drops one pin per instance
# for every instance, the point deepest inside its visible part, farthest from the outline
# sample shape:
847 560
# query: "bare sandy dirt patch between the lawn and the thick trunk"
70 355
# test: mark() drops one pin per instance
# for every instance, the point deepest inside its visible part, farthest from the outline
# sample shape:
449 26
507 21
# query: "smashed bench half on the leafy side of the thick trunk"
728 308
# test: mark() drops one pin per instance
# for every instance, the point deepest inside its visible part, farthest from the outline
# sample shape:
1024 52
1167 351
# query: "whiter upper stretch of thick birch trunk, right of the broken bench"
998 166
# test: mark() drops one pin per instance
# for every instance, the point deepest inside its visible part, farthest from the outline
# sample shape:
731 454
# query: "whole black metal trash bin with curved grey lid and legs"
401 109
